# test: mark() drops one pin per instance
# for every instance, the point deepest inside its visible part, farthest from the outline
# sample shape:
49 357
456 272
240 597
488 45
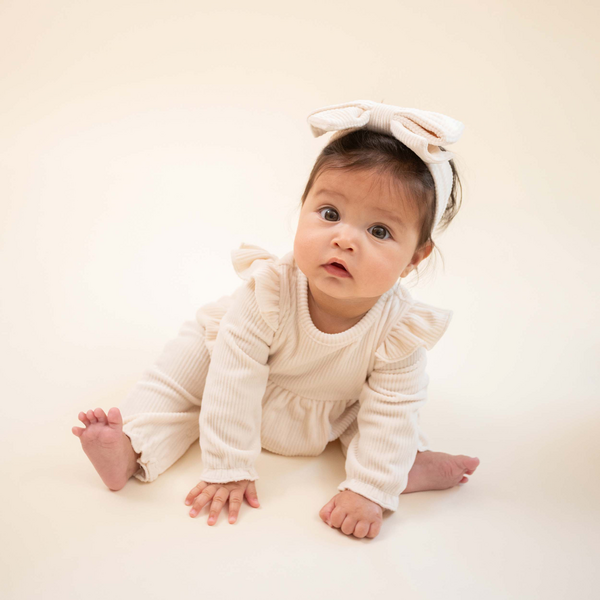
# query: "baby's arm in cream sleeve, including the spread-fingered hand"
230 417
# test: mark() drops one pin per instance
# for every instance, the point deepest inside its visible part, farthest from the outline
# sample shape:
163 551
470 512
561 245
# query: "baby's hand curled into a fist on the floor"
354 514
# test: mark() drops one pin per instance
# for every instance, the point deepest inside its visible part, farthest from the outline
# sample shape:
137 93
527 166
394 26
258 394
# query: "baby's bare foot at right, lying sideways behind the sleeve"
439 471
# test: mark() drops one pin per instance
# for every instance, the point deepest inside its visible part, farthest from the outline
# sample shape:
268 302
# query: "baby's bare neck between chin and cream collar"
330 315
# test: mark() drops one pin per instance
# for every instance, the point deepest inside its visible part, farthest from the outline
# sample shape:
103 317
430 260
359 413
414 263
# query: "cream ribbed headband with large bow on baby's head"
422 131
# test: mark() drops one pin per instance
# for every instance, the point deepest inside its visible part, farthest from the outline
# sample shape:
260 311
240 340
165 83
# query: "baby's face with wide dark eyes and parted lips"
344 217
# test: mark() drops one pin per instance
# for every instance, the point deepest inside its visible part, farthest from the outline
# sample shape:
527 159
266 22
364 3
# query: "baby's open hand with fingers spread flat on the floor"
234 490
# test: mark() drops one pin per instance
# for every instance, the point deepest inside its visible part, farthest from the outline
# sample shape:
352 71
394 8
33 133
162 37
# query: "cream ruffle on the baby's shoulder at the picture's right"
419 325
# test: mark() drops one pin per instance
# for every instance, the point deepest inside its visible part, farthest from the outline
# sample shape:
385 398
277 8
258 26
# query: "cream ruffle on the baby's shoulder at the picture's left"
253 263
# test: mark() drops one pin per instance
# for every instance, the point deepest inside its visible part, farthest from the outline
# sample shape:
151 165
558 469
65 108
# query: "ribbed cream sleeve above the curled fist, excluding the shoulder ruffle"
382 452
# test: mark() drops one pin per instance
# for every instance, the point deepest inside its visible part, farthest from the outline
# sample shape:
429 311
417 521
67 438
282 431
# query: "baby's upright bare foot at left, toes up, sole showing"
107 446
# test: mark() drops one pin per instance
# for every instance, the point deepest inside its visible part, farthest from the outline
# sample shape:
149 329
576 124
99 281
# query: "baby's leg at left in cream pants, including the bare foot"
160 415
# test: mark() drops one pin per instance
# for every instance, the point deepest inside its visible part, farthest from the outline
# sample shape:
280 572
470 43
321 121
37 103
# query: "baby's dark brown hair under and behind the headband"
367 150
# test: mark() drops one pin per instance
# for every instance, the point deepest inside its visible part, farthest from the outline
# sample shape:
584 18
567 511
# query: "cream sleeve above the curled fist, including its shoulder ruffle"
382 452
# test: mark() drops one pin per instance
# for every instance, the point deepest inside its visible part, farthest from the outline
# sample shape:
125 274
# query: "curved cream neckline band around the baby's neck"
343 337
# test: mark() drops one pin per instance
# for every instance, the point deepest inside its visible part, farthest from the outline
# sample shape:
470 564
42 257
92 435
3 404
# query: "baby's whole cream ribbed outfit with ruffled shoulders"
252 371
